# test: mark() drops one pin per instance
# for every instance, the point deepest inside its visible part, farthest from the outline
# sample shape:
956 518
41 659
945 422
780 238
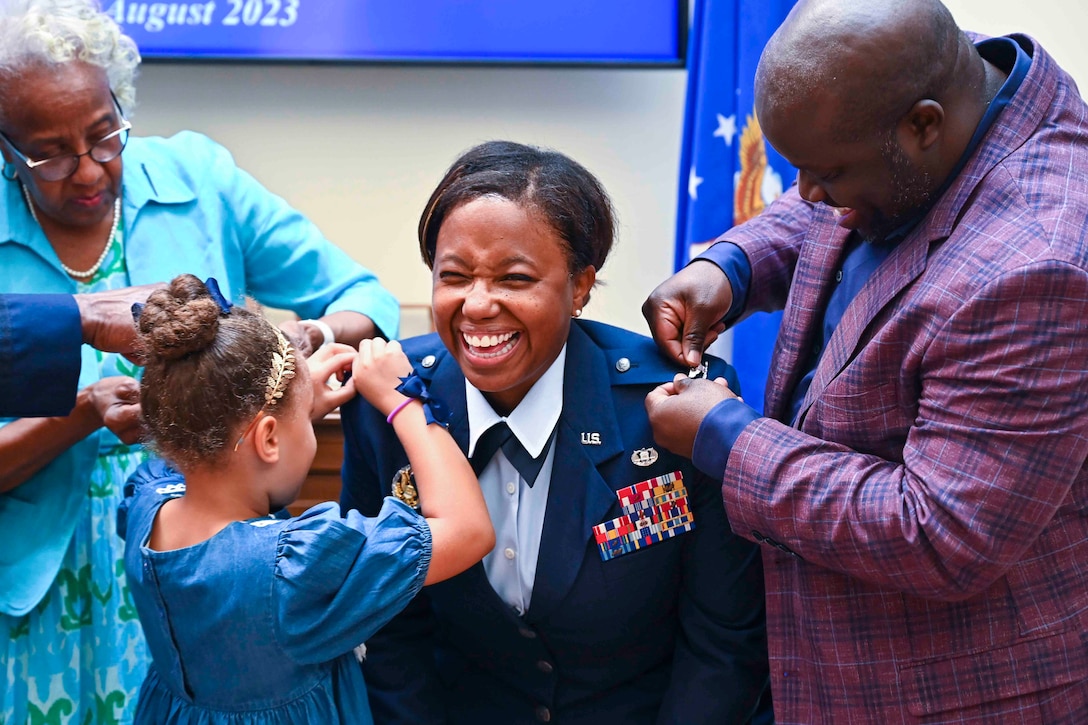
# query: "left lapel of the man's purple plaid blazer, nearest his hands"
821 255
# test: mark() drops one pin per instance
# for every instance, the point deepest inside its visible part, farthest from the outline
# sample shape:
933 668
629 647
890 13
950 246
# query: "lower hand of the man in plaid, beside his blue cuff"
677 409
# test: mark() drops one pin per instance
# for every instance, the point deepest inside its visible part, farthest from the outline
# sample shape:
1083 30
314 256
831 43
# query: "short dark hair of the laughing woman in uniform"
557 187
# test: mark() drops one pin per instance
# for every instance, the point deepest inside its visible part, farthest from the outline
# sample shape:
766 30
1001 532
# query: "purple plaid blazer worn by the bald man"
926 513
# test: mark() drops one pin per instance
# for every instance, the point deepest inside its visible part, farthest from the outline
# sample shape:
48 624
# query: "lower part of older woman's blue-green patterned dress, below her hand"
80 656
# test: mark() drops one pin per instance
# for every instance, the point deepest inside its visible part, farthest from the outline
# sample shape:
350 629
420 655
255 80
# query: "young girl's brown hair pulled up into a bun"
206 374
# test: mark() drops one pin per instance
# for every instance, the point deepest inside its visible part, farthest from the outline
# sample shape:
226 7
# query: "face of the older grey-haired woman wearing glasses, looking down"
65 109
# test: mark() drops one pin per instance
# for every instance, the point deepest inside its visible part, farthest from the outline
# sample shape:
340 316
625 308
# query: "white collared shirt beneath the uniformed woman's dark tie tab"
517 509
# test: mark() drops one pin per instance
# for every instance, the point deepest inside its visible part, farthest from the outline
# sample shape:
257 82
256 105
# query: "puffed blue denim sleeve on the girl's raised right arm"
338 581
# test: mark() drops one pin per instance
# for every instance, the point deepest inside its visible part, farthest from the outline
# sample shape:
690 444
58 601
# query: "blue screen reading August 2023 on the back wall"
580 32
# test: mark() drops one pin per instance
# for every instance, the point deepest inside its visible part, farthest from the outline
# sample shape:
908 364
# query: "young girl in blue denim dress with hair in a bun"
253 619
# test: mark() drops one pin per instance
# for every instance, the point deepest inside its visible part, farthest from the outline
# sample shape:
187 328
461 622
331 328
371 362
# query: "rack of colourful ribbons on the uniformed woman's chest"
654 511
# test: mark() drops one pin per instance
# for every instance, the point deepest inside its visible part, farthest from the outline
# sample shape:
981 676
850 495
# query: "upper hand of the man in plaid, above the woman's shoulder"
685 312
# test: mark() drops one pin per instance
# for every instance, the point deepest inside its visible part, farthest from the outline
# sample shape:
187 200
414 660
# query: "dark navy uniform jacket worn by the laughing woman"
669 634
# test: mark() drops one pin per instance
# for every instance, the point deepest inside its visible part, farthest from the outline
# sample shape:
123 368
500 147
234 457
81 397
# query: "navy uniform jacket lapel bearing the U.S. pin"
579 497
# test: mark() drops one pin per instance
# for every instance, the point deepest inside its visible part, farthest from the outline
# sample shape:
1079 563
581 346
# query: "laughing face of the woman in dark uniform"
503 296
